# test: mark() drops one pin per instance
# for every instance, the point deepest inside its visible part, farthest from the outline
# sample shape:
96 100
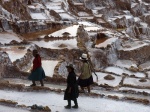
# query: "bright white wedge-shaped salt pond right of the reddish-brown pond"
72 30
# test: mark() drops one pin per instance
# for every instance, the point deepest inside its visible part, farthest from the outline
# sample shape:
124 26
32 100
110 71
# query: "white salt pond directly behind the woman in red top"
49 66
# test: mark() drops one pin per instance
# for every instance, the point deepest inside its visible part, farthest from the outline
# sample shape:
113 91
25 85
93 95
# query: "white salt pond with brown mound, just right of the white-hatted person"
102 81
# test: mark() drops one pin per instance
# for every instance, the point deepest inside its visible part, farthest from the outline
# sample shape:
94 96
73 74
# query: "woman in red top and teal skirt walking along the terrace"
37 72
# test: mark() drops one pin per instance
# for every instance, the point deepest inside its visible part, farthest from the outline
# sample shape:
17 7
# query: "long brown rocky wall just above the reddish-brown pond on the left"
22 27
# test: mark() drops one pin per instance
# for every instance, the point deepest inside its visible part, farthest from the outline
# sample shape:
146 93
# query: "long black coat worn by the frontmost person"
71 82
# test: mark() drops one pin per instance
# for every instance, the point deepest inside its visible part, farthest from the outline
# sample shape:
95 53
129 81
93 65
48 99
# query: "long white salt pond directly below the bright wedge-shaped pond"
71 44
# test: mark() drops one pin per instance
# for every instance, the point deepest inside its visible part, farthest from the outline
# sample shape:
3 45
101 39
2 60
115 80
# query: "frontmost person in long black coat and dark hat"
71 92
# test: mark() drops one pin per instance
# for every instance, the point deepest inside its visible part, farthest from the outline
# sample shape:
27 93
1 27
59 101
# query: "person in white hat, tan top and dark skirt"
85 79
